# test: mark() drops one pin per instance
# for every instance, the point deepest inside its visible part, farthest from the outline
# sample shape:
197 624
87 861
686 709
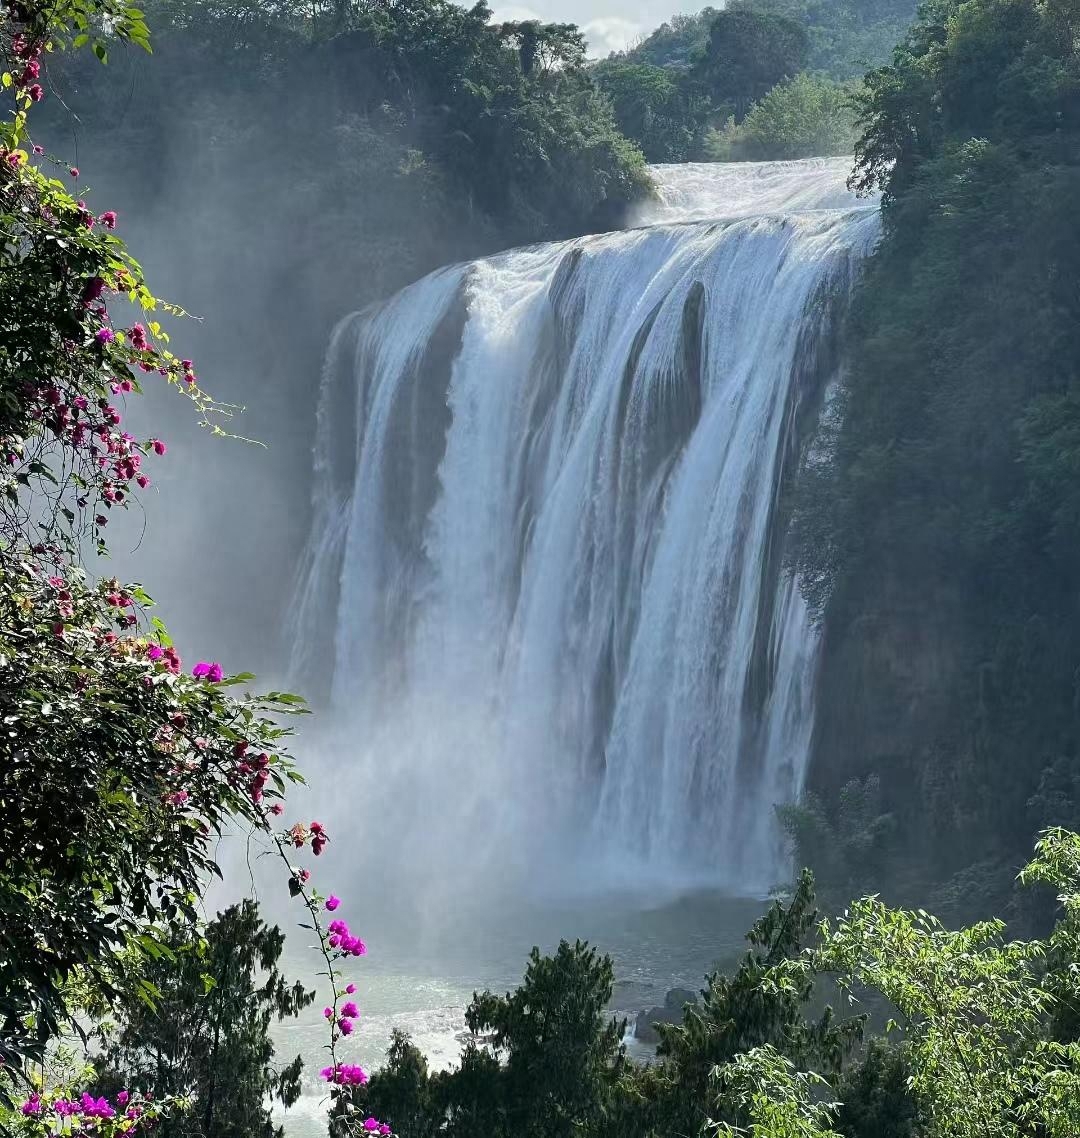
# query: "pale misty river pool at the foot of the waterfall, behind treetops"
419 978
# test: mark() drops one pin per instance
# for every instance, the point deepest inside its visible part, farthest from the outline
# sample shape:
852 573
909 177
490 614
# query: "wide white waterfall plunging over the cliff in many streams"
546 578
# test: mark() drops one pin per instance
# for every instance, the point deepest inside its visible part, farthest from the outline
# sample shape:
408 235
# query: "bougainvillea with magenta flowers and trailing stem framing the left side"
119 770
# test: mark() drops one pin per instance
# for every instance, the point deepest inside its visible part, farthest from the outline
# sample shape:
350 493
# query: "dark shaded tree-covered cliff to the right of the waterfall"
943 539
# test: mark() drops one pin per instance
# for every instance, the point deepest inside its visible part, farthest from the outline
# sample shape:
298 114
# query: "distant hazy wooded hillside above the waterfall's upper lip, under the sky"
759 79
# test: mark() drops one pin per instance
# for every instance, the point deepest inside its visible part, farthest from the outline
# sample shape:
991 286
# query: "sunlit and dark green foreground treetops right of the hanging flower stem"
979 1043
